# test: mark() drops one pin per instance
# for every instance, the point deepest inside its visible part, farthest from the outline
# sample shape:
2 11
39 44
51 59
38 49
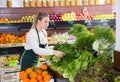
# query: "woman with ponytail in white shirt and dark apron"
36 42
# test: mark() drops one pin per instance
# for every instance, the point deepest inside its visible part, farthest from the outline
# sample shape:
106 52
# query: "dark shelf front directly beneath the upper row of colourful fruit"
58 24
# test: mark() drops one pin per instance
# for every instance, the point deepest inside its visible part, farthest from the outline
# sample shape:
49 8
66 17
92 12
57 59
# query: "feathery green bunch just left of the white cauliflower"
84 38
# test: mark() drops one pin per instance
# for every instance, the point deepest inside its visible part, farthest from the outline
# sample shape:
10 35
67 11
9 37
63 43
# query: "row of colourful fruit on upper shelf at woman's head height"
71 16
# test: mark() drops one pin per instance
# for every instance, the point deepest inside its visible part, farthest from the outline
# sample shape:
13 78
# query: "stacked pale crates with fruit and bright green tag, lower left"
9 68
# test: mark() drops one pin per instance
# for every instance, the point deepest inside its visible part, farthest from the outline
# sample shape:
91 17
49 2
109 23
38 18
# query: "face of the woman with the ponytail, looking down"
44 23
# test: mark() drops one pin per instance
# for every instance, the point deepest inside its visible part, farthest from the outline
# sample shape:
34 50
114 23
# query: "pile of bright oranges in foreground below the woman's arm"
35 74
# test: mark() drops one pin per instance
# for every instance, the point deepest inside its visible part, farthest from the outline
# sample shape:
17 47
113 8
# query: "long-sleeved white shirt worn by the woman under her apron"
32 42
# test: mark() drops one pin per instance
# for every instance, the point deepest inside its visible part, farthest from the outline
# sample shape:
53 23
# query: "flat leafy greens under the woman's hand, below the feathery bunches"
73 61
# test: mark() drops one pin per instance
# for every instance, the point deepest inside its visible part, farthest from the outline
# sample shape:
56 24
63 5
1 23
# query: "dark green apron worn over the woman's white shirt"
29 58
